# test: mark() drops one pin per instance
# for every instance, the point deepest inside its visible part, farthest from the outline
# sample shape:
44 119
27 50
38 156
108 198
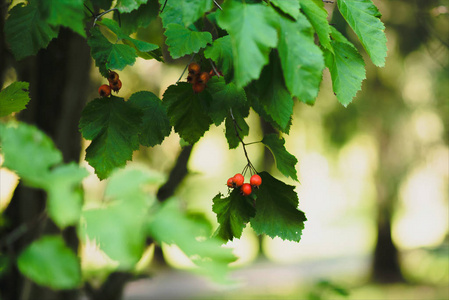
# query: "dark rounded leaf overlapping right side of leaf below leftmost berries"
155 123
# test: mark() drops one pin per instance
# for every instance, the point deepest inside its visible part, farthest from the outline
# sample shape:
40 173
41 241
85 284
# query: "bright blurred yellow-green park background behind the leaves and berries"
374 179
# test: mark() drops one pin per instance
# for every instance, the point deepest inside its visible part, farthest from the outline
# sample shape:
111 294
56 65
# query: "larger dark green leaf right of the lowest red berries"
276 210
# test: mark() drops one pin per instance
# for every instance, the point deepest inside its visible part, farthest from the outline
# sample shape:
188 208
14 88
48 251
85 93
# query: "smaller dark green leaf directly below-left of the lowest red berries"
233 212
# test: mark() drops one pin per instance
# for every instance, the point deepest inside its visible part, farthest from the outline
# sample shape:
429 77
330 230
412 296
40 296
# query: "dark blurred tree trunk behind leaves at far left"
59 81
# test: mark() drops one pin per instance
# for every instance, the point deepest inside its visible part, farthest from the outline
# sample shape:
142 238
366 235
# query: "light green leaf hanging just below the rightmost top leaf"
346 66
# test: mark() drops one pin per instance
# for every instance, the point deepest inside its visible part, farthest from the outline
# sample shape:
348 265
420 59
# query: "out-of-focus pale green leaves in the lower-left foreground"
128 217
